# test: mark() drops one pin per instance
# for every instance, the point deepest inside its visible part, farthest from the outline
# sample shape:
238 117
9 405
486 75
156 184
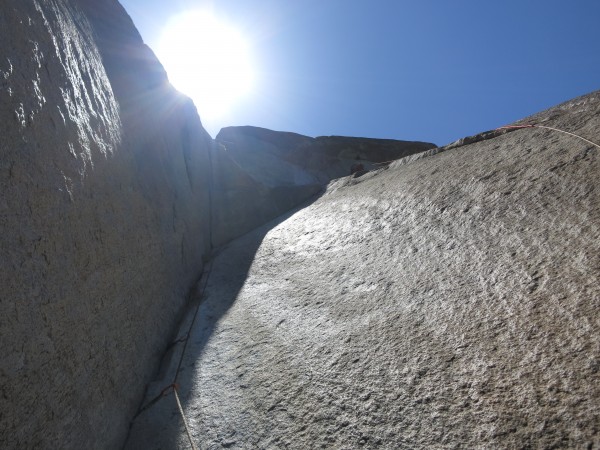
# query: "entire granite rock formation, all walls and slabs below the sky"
448 299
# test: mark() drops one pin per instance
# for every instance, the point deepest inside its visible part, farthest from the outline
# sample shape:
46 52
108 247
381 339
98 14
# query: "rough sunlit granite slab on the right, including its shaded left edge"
450 301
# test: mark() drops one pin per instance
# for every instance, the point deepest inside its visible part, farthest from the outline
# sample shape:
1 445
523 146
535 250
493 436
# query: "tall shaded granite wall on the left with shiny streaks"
104 174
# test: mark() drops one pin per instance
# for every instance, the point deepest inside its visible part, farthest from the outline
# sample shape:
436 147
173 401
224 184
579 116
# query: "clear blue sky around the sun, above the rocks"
431 70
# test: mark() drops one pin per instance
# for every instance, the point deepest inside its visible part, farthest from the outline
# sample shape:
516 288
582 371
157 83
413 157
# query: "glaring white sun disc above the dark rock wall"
208 60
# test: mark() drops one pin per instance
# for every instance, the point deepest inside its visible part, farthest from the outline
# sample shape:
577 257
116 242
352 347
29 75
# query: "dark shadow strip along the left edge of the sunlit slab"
158 424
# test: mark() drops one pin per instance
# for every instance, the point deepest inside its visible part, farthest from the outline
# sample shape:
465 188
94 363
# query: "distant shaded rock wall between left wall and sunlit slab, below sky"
260 173
